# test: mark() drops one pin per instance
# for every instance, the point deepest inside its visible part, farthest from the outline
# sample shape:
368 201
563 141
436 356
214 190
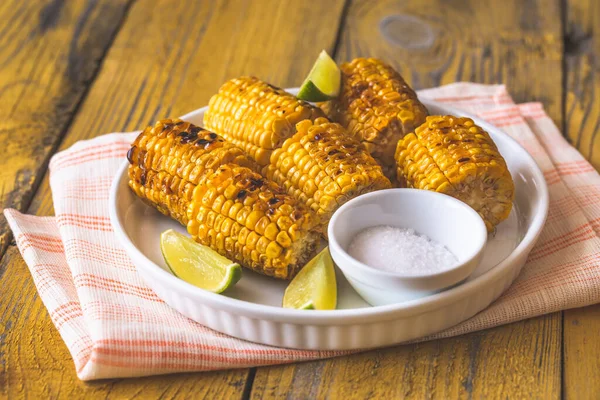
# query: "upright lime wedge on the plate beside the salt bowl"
314 287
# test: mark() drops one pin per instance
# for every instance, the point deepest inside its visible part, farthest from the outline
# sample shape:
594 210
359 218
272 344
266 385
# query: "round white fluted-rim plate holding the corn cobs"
251 309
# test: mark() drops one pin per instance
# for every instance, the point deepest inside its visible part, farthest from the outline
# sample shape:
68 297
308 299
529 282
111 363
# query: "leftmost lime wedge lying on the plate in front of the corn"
197 264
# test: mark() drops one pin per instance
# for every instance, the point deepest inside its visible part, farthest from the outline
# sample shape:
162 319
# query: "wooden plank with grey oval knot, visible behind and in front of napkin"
435 42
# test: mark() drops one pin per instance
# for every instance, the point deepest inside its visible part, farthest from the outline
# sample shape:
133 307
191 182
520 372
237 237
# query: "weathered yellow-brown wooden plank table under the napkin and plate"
71 70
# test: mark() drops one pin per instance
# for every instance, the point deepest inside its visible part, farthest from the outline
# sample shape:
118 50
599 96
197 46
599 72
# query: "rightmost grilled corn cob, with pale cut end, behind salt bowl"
454 156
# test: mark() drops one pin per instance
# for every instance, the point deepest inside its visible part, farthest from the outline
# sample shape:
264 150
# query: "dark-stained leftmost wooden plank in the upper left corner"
49 52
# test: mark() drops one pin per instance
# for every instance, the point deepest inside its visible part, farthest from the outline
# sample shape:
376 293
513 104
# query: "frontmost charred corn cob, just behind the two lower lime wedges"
249 219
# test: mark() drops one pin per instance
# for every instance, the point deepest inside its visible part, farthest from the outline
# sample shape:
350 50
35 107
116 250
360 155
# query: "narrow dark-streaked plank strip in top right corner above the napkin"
582 63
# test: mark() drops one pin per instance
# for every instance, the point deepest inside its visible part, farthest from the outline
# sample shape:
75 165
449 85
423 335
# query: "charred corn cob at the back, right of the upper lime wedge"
378 104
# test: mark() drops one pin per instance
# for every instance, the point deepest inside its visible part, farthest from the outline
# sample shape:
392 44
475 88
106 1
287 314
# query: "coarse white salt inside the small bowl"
394 249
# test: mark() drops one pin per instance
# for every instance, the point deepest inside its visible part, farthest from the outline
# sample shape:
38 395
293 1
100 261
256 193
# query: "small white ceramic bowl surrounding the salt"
440 217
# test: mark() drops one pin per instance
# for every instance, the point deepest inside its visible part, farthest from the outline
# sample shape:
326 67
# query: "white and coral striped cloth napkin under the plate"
115 326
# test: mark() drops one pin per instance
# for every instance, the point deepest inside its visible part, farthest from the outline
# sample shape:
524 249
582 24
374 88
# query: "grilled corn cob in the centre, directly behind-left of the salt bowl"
323 166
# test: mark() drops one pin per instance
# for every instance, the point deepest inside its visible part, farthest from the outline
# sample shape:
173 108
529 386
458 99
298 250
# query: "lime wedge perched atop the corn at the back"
323 81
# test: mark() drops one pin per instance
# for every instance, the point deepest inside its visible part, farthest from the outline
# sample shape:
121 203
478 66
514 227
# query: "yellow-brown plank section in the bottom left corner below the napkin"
35 363
